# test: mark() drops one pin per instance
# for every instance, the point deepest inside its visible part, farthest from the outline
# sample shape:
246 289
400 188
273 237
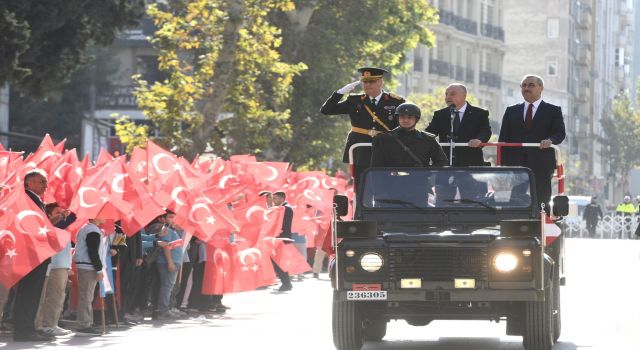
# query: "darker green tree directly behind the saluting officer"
333 38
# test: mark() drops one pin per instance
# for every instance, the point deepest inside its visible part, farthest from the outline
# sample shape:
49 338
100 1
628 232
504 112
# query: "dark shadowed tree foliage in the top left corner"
43 42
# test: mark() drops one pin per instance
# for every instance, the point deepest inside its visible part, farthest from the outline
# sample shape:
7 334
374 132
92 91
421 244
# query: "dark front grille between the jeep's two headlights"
438 263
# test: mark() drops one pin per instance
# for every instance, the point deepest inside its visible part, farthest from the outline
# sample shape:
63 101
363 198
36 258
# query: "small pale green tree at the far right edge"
622 139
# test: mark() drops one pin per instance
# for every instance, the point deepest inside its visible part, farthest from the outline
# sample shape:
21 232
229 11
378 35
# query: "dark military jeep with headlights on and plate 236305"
447 244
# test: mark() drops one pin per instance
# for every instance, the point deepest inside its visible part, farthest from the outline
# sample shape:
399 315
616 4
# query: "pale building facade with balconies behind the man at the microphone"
469 49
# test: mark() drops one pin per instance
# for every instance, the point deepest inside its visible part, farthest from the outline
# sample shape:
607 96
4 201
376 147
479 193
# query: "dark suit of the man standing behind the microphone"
474 125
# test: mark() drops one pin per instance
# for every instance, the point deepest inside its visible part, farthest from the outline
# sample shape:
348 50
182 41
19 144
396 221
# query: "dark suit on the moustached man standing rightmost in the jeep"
547 123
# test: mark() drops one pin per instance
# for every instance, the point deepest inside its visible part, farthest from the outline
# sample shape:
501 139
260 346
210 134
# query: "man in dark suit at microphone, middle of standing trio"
470 125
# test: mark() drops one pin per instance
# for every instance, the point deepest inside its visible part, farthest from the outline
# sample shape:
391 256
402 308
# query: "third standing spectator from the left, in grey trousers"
90 259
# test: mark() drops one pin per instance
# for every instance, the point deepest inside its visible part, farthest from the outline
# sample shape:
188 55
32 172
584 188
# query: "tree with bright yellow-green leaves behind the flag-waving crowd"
226 83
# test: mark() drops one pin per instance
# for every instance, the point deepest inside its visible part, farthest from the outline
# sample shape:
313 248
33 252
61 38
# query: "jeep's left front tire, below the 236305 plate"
347 324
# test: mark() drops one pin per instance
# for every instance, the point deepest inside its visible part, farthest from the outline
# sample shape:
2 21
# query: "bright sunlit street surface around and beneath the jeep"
601 310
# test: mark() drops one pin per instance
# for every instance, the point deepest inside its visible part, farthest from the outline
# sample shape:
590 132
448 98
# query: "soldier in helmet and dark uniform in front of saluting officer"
405 146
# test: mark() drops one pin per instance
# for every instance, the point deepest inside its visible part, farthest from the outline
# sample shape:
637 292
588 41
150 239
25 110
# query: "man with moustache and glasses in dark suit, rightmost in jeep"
533 121
